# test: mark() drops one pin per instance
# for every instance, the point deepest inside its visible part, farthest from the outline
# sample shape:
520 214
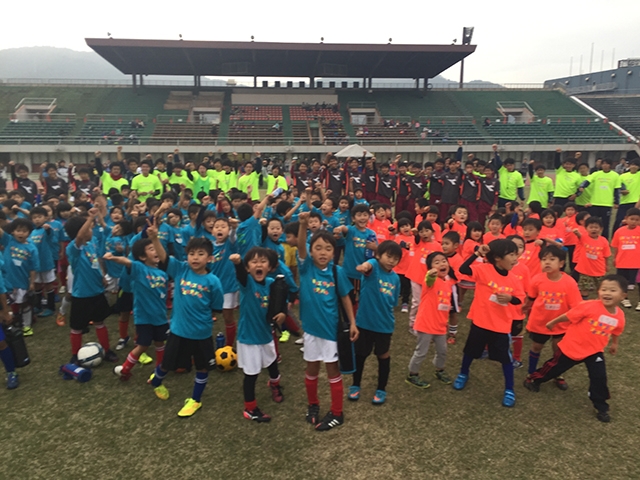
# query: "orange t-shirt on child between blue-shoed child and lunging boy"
552 299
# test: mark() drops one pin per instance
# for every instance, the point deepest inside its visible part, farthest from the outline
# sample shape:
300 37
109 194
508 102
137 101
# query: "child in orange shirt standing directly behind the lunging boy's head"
594 251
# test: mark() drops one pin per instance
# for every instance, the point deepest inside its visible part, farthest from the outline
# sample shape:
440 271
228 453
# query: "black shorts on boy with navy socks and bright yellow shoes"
180 352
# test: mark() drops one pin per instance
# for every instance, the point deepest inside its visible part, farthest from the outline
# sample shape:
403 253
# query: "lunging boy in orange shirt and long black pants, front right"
591 325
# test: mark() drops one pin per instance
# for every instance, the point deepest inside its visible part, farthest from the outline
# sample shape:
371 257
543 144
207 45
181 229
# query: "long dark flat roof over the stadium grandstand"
267 59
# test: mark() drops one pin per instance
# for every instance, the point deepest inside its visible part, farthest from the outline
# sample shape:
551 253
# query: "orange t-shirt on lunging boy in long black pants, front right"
590 328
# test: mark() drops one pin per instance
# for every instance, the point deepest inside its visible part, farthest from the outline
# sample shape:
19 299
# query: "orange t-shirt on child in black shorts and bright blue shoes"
485 311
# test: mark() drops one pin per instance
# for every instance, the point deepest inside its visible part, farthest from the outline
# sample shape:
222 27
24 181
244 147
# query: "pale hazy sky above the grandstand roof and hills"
518 42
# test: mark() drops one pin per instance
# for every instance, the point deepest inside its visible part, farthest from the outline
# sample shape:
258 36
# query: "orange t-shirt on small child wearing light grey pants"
435 304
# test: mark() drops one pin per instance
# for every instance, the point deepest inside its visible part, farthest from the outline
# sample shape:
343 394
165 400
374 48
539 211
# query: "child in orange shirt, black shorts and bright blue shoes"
492 312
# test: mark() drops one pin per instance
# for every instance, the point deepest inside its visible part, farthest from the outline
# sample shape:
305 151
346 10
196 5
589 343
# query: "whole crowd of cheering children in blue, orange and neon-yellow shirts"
173 245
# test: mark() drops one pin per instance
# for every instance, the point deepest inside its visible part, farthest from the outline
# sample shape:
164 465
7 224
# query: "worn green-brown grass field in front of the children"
51 428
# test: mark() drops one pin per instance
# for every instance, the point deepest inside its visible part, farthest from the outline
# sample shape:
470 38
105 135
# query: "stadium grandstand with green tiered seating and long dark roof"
309 117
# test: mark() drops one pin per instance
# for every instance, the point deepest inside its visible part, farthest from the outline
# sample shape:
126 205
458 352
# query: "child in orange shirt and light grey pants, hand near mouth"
436 302
